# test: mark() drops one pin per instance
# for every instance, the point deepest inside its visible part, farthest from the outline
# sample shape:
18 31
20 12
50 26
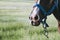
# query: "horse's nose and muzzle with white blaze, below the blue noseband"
36 16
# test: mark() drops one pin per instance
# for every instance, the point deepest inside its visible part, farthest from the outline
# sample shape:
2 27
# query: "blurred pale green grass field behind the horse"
15 25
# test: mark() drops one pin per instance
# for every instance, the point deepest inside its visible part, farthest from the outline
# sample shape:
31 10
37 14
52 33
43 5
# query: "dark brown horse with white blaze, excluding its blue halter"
37 15
